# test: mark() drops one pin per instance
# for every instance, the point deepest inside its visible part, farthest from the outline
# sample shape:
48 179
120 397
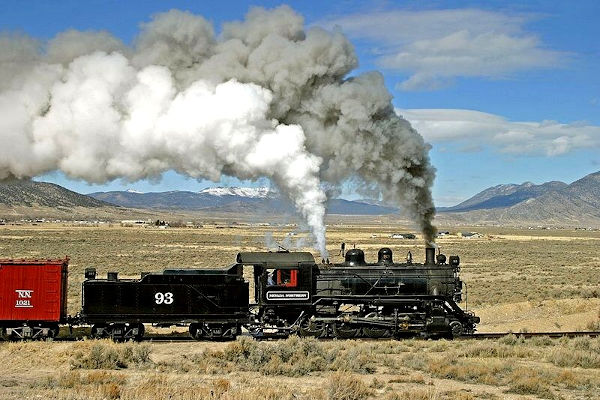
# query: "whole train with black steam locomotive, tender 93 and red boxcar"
293 295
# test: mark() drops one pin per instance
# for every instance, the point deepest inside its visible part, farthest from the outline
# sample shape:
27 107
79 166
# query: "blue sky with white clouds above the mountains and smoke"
505 92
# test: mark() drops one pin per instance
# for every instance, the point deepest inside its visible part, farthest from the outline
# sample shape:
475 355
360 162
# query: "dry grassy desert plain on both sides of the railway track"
517 280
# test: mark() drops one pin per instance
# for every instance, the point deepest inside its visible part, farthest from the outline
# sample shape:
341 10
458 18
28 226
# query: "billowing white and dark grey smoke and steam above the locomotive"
264 98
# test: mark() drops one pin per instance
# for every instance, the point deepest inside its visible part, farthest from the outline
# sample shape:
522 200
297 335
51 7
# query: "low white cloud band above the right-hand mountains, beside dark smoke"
474 130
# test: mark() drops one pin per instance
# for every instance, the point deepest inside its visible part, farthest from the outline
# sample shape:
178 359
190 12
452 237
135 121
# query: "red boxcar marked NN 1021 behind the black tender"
33 297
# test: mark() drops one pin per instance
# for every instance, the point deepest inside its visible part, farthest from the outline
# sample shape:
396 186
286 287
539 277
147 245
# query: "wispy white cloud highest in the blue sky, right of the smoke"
438 45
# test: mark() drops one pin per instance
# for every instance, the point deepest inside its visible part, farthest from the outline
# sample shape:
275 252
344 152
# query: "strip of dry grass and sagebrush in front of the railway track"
305 369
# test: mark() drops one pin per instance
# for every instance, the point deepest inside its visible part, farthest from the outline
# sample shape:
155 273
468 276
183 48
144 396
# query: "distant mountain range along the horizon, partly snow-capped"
549 203
